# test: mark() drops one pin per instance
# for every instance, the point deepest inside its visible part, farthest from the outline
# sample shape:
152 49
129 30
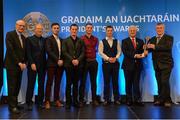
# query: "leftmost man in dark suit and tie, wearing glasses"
15 63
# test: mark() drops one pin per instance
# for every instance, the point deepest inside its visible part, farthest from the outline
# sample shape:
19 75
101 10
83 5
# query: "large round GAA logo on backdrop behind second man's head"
34 18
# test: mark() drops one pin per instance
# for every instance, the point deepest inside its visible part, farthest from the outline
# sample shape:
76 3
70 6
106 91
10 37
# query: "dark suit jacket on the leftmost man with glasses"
14 52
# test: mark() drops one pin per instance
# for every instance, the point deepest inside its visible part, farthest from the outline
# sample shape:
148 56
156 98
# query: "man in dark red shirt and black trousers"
90 65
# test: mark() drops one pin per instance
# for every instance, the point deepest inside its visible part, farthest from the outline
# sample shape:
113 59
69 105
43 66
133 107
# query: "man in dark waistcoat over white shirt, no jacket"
110 51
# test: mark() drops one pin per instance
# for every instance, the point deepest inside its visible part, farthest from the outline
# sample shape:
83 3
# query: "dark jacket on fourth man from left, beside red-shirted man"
73 51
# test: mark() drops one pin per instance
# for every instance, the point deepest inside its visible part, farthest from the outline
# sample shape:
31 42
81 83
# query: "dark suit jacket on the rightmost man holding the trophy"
162 55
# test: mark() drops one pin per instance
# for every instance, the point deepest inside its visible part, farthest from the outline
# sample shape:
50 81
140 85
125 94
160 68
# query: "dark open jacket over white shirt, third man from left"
52 50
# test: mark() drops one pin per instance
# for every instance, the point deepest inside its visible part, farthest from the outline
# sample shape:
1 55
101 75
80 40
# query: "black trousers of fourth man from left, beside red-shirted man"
72 78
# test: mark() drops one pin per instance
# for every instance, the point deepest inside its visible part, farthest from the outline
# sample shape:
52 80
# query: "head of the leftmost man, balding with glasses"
20 26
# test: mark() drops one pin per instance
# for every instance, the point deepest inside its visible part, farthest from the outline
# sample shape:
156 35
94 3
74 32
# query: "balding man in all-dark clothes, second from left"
36 66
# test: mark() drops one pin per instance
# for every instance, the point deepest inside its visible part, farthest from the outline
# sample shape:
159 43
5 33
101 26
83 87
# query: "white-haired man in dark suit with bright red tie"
133 51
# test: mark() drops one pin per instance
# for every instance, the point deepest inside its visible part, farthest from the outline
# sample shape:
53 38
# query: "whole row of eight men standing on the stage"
77 56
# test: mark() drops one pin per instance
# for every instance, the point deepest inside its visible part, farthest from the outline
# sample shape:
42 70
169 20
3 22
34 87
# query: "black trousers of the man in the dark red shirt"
91 68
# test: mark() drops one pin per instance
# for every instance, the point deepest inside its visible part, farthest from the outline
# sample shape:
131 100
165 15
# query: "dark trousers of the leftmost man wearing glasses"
14 77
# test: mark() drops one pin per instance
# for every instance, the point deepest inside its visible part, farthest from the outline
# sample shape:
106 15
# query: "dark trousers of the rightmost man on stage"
162 77
